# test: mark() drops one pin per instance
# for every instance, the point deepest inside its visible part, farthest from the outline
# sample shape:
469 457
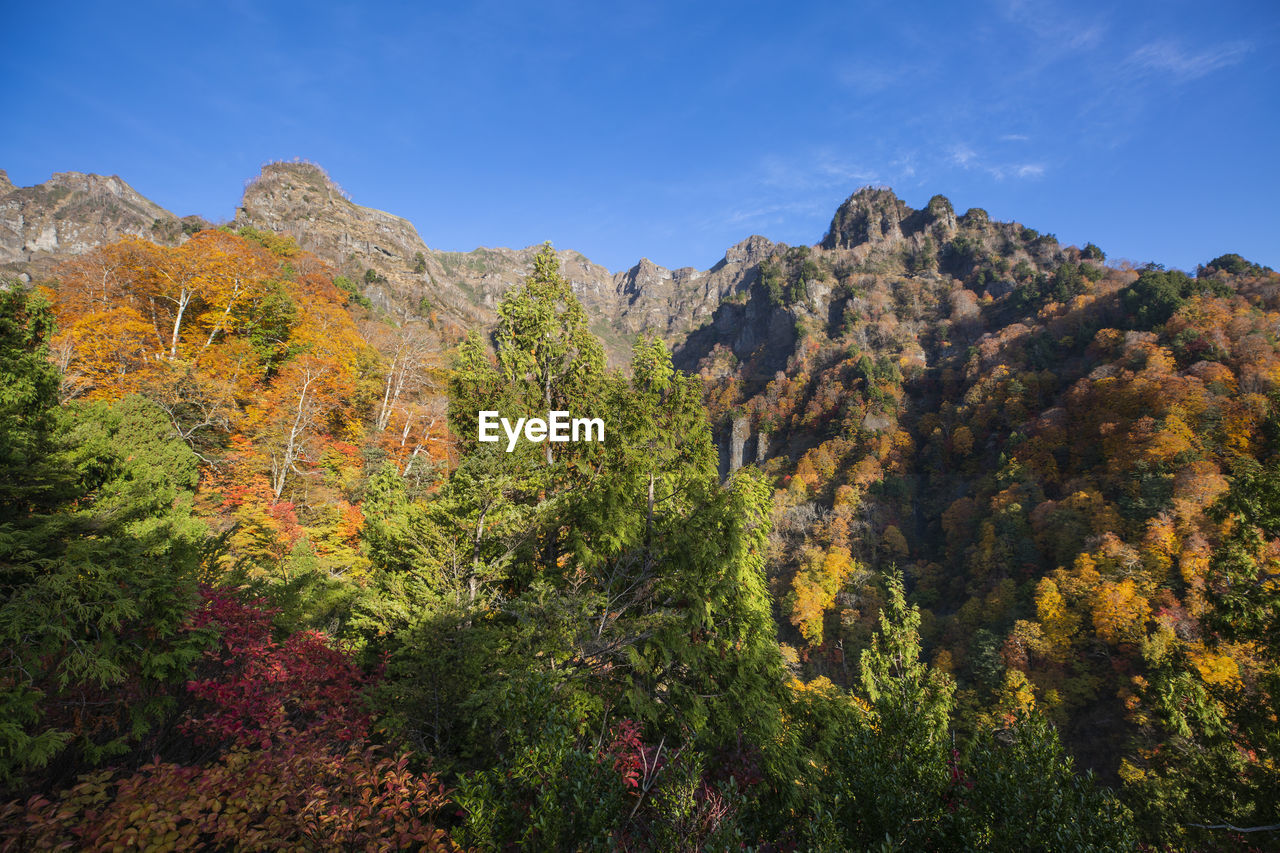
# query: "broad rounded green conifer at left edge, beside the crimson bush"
97 590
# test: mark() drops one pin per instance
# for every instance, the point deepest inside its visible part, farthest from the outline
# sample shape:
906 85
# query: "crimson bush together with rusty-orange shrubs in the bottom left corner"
298 774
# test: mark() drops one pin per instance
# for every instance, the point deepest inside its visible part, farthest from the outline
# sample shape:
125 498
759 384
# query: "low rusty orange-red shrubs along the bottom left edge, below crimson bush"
295 796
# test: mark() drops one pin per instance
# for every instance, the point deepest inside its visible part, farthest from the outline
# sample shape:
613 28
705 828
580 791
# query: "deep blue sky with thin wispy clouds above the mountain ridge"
674 130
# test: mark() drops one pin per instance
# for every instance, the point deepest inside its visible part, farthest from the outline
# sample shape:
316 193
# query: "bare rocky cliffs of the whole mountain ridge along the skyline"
751 304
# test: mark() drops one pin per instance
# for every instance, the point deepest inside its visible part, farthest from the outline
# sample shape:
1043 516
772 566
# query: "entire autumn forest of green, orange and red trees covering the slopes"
1003 577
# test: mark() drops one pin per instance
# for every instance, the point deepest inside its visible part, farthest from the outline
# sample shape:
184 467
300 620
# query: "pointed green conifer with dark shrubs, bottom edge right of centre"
883 773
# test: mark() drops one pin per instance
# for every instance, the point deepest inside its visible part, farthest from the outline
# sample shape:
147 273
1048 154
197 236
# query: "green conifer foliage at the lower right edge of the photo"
1218 742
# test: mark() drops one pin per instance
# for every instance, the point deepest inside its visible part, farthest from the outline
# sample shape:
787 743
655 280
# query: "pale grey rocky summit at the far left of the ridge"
72 213
